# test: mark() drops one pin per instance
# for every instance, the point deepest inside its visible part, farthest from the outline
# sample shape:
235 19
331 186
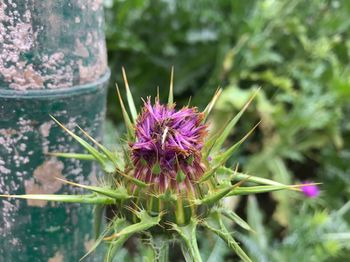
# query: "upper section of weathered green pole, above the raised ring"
51 44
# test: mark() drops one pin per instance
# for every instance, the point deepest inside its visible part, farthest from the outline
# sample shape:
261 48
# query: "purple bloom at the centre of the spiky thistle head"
168 146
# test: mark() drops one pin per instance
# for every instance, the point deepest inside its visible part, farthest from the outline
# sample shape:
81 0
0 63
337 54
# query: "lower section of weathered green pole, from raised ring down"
37 230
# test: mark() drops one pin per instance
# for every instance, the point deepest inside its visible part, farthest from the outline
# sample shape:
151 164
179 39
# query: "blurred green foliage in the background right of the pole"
299 53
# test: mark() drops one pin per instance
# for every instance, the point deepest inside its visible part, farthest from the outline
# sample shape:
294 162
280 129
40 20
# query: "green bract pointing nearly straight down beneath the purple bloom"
189 240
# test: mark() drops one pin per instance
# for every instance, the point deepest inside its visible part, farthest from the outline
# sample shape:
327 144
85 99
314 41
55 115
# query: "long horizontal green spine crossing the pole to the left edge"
83 199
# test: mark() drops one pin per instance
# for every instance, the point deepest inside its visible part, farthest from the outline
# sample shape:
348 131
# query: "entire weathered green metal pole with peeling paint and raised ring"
52 61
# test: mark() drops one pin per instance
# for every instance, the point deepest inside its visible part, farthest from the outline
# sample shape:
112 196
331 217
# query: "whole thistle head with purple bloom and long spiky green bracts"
170 179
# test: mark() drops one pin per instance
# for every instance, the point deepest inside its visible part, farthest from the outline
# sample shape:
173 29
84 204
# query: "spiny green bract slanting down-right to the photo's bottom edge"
215 224
